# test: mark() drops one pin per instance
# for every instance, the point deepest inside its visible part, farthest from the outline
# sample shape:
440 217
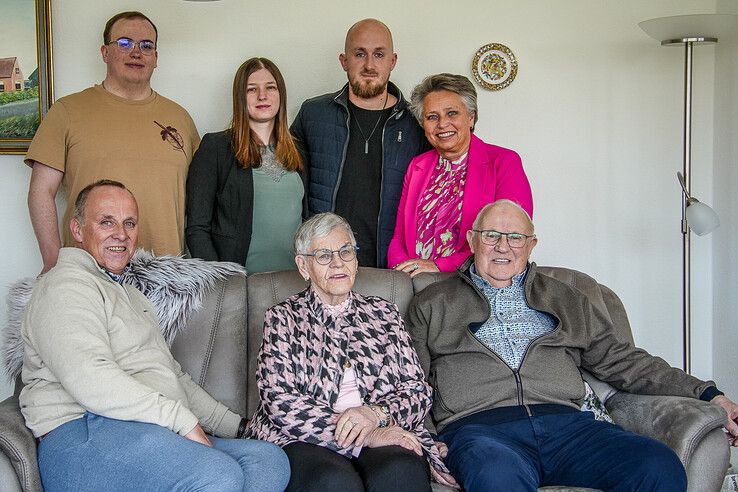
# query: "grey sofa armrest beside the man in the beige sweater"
19 445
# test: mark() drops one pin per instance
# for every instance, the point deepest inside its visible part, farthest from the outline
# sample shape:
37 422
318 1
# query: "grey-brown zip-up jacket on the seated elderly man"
592 333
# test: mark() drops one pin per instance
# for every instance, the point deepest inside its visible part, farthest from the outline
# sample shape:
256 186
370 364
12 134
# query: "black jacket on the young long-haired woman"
220 202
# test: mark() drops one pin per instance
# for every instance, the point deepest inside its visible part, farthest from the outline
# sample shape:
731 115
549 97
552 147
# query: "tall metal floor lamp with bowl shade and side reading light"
688 31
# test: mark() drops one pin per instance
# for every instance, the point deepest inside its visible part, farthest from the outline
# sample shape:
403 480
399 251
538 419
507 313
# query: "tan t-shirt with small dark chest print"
94 135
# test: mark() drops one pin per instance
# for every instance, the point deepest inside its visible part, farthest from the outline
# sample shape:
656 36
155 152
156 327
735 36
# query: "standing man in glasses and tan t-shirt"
120 130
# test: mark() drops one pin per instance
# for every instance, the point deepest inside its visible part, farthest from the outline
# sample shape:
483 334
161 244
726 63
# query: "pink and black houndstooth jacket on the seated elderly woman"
301 363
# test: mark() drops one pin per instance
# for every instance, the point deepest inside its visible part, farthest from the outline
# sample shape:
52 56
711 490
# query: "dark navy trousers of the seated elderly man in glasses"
571 449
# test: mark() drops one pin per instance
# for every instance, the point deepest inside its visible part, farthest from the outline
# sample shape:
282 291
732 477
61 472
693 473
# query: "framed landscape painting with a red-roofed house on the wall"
26 90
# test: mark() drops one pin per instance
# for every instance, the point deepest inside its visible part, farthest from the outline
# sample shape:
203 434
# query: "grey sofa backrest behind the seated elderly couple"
221 342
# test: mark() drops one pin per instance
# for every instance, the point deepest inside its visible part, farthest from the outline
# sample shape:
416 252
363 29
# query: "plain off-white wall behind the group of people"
595 112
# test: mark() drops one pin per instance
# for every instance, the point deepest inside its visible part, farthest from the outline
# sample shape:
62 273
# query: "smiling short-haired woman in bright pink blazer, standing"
446 187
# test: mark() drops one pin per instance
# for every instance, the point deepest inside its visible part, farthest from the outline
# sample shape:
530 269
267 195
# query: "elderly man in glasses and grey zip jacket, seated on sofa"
503 343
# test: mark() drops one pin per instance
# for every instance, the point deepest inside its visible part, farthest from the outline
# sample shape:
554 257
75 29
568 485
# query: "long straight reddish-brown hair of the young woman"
245 142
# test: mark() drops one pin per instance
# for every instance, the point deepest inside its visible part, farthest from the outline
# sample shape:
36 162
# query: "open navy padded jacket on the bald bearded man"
321 131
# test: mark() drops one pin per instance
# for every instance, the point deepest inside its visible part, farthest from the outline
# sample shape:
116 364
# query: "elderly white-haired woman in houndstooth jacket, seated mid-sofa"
340 384
